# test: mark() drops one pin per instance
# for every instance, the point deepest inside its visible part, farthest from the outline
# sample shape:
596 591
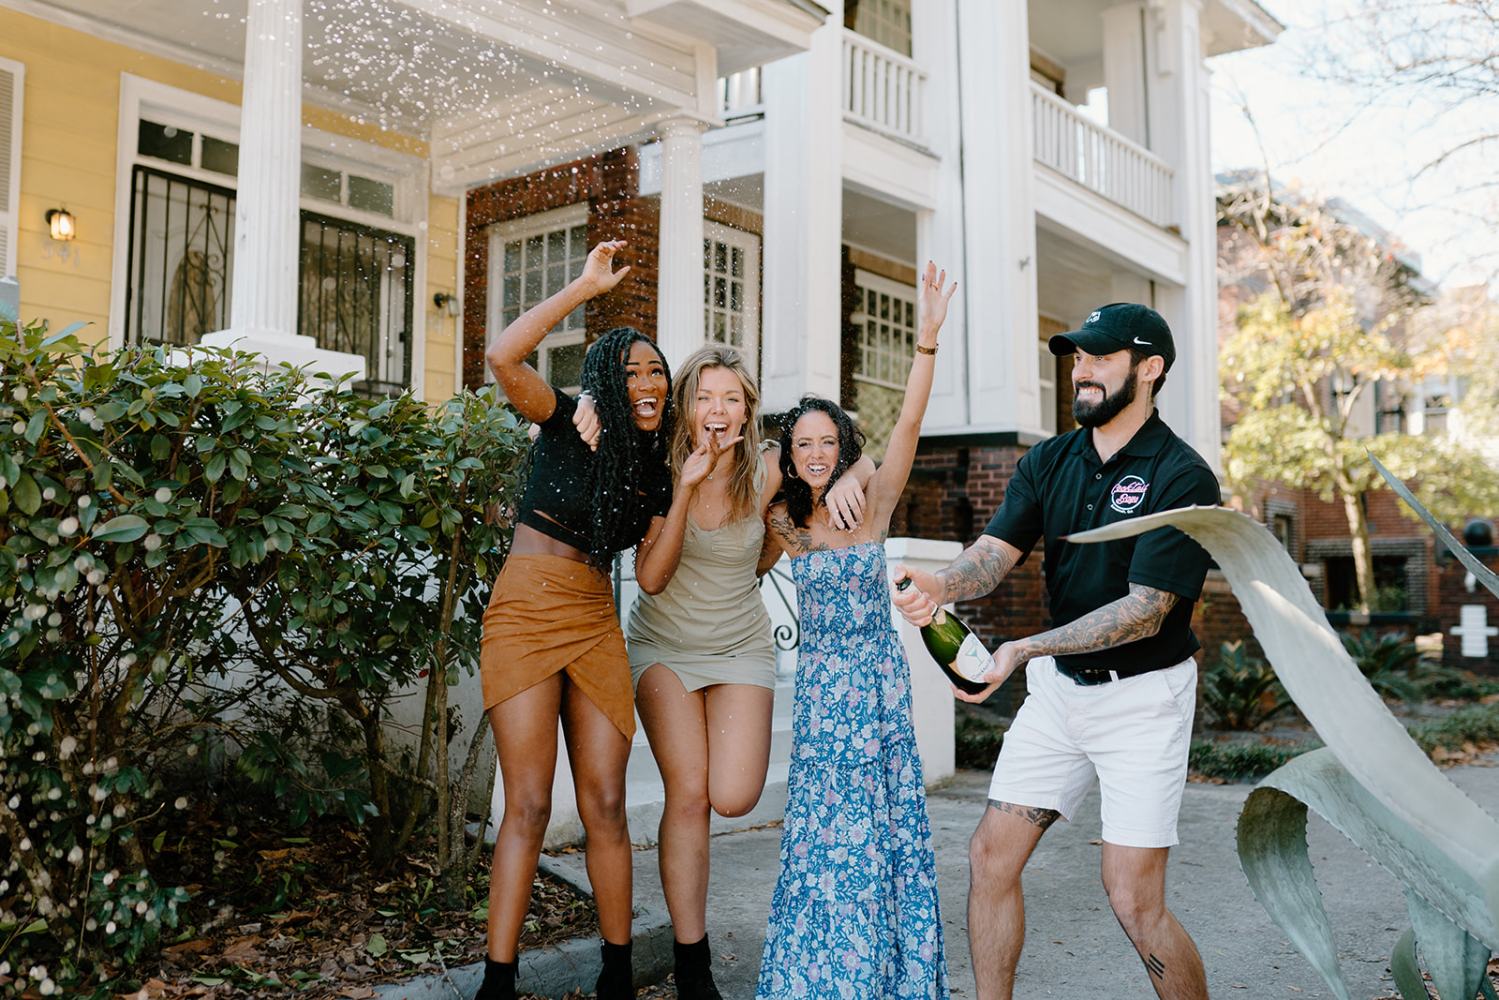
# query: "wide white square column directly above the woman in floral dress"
804 220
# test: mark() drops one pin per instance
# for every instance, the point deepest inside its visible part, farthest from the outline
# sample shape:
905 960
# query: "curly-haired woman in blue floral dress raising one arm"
855 909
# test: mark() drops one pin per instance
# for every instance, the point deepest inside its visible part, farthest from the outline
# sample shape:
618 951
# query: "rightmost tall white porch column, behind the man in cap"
1179 101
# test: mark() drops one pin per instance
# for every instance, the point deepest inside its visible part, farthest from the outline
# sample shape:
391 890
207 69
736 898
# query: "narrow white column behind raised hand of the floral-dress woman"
939 233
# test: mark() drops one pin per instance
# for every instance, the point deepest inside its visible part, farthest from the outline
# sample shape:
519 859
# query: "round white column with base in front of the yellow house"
263 314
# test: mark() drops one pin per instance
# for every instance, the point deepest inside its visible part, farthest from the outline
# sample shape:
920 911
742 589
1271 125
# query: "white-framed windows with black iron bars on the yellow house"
358 251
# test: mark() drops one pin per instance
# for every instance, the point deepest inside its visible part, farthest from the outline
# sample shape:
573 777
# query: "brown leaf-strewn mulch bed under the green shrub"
304 914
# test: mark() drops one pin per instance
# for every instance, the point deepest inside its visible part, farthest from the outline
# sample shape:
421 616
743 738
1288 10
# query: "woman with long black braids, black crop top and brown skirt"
552 642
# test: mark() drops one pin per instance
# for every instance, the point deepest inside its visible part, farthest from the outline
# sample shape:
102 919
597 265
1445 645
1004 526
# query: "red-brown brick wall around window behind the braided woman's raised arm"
611 185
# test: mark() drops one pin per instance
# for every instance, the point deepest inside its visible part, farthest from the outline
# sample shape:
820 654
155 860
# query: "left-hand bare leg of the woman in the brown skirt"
527 738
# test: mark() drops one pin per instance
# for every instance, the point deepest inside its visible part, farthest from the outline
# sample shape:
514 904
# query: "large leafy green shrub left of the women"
214 561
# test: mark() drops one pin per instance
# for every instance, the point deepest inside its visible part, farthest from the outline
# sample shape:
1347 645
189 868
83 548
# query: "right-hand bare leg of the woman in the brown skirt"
599 755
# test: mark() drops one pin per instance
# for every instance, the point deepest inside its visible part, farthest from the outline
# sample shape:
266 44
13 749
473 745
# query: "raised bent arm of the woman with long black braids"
507 356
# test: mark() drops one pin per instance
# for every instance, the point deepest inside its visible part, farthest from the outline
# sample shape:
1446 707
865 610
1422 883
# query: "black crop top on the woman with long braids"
558 500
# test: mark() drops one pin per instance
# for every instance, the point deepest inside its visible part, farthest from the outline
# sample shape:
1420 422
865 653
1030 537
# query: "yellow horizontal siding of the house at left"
70 157
